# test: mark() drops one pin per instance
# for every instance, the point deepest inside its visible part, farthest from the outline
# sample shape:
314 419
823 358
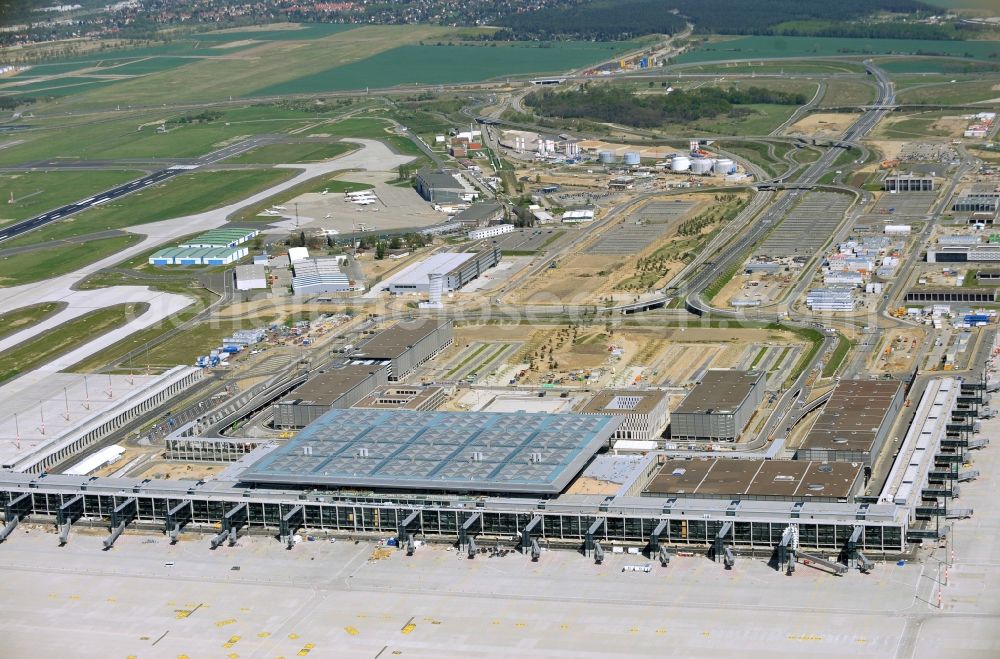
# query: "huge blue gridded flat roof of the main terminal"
432 451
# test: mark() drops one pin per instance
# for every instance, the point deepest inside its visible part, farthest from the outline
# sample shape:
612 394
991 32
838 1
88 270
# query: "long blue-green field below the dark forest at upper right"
770 47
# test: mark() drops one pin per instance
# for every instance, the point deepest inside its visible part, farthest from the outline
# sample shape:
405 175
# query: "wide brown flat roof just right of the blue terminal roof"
760 479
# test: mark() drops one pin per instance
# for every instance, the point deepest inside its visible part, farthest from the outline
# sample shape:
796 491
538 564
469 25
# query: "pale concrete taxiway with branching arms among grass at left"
162 305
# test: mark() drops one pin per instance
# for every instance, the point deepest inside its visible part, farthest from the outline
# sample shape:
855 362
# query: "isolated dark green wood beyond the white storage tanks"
622 105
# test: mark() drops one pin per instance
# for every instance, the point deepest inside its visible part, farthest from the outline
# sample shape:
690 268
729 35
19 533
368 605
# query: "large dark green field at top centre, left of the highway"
441 64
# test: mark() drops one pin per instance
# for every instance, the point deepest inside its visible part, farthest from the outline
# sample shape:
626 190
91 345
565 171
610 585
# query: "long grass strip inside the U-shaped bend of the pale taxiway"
64 338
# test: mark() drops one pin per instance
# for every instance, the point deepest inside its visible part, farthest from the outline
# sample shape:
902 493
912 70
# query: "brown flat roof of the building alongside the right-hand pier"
853 416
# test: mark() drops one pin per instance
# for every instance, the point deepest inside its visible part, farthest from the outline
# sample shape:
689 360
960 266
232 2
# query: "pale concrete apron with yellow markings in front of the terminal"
149 599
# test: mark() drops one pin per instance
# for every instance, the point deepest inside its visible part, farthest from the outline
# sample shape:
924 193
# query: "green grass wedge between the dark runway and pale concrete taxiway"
179 196
